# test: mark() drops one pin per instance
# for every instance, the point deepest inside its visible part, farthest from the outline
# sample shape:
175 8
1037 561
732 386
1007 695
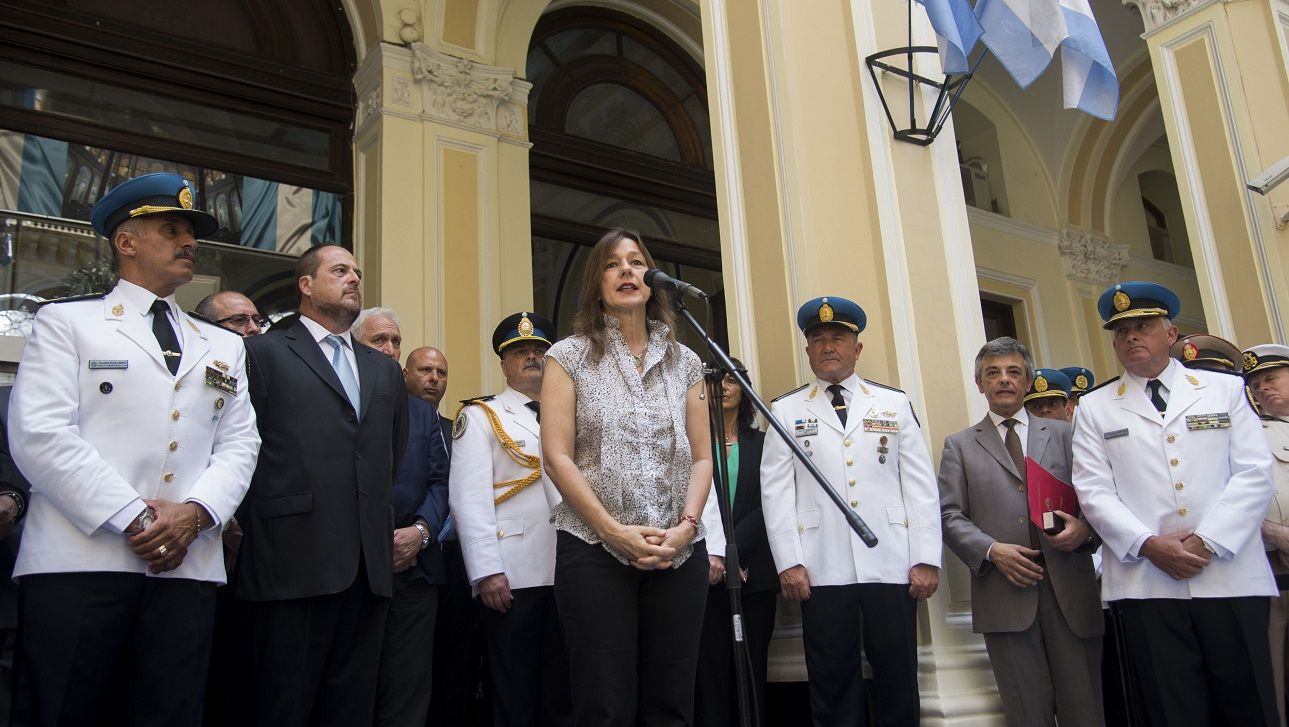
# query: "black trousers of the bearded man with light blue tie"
315 661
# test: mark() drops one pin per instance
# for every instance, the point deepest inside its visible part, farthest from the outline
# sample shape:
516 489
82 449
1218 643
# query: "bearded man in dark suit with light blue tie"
315 564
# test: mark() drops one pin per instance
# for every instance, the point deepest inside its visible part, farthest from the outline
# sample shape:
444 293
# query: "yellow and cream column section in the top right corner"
1221 72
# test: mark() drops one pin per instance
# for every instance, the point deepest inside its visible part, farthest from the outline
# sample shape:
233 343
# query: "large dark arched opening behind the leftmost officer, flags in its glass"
252 101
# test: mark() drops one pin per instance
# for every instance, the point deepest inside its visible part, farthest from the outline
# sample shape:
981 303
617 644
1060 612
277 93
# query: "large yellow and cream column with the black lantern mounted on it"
817 198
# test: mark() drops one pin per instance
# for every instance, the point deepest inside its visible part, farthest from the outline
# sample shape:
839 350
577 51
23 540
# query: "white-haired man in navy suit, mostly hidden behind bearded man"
421 509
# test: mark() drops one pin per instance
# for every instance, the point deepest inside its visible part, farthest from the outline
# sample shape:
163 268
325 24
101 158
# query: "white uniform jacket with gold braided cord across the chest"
514 537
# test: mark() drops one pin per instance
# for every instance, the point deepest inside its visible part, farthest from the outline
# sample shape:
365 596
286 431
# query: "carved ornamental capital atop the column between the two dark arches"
467 93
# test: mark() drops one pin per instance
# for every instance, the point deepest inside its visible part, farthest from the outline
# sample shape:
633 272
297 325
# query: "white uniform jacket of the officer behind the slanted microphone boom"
895 493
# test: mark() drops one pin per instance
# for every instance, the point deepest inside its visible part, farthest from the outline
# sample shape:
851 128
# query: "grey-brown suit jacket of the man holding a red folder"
983 501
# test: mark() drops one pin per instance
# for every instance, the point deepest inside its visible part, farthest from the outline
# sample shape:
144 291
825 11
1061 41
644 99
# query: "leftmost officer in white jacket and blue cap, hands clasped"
133 425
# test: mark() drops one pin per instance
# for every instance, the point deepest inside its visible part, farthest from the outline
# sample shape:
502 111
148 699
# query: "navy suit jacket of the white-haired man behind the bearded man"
421 490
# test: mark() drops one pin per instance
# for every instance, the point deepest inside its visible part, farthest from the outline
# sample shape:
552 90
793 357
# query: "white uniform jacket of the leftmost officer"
99 422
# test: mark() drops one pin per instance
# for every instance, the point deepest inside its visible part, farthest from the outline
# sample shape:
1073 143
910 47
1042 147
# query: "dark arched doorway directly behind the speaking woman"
621 137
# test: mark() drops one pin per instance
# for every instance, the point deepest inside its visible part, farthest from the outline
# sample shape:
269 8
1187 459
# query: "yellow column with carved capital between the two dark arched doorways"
441 140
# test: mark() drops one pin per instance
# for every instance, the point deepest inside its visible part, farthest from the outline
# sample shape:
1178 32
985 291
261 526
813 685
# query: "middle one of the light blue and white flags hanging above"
1023 34
